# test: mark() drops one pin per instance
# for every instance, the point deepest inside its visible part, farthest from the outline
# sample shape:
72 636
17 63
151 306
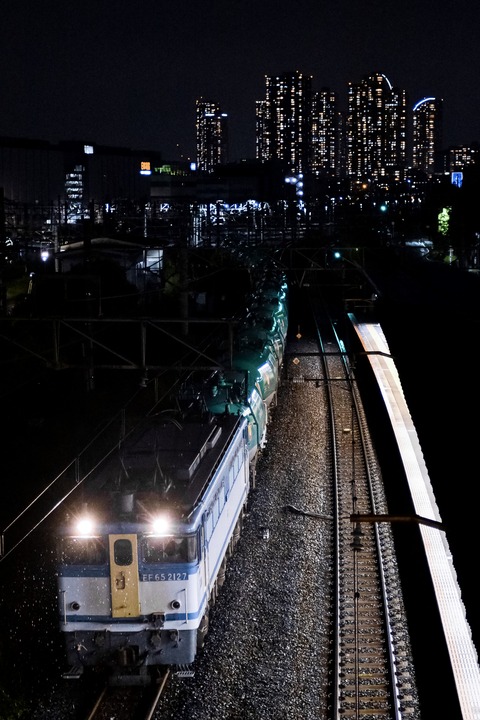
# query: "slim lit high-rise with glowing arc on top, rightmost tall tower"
427 135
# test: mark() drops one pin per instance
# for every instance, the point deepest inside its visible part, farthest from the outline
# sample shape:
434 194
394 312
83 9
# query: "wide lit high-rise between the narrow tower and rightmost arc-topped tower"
376 129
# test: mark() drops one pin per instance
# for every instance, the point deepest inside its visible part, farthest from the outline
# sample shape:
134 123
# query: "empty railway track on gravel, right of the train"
372 675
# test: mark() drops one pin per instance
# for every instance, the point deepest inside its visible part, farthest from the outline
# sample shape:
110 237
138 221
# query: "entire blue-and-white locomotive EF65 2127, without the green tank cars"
142 556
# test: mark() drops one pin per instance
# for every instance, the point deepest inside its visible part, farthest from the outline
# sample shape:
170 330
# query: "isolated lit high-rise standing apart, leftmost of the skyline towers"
212 135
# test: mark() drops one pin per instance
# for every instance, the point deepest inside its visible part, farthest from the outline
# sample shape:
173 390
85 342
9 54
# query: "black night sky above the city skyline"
127 73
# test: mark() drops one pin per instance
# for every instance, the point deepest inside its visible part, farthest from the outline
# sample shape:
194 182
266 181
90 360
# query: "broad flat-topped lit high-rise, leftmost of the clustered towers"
284 121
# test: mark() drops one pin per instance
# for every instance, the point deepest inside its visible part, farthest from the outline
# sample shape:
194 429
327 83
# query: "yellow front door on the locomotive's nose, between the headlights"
124 575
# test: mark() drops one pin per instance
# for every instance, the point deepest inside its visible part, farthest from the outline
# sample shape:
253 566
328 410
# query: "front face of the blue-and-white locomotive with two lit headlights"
129 594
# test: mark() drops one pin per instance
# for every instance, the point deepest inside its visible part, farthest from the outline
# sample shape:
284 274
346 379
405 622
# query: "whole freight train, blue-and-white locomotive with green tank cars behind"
142 556
